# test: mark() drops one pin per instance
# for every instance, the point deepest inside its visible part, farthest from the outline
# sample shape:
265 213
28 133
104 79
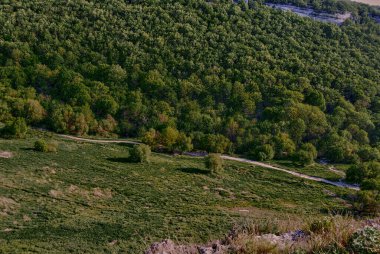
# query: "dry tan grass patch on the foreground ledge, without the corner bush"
258 237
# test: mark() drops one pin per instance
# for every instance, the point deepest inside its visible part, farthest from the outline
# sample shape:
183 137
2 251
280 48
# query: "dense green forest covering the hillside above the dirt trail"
225 77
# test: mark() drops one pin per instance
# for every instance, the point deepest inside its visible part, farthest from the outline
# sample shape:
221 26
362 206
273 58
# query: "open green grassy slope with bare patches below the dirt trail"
60 208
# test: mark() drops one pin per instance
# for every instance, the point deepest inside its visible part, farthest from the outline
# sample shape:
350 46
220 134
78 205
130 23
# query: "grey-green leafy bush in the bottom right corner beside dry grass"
365 241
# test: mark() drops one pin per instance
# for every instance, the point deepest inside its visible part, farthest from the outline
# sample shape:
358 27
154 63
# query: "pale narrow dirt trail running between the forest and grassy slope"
225 157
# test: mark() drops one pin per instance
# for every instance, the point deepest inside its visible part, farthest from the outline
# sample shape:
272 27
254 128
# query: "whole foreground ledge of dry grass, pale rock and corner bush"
333 234
